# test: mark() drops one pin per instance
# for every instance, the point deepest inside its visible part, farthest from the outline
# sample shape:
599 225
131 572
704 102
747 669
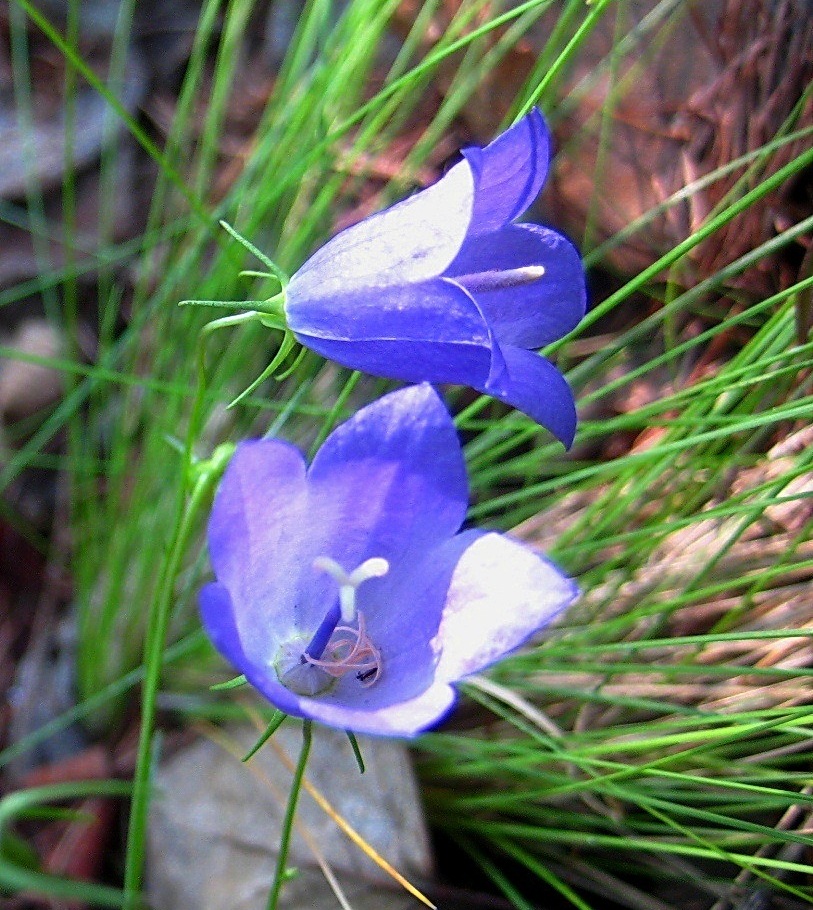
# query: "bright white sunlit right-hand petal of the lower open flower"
501 593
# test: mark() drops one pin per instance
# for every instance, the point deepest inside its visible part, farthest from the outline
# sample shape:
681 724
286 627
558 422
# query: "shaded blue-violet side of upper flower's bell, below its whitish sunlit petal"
431 331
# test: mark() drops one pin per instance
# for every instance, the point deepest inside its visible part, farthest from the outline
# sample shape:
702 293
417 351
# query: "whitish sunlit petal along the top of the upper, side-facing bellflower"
412 241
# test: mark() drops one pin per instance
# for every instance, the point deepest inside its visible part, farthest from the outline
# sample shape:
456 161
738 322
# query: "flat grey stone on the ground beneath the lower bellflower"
215 825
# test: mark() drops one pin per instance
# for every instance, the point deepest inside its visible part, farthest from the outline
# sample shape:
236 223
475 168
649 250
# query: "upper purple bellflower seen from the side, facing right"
444 287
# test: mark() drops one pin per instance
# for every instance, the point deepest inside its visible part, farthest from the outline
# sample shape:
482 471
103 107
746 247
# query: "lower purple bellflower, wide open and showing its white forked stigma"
346 592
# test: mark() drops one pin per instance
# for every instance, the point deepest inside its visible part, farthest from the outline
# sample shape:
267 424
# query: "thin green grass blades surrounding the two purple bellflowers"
659 734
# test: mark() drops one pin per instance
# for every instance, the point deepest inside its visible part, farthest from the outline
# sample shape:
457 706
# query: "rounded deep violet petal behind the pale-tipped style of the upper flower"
533 314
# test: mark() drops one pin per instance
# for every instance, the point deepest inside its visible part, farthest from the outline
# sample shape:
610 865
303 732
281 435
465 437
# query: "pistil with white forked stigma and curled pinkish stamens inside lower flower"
335 650
